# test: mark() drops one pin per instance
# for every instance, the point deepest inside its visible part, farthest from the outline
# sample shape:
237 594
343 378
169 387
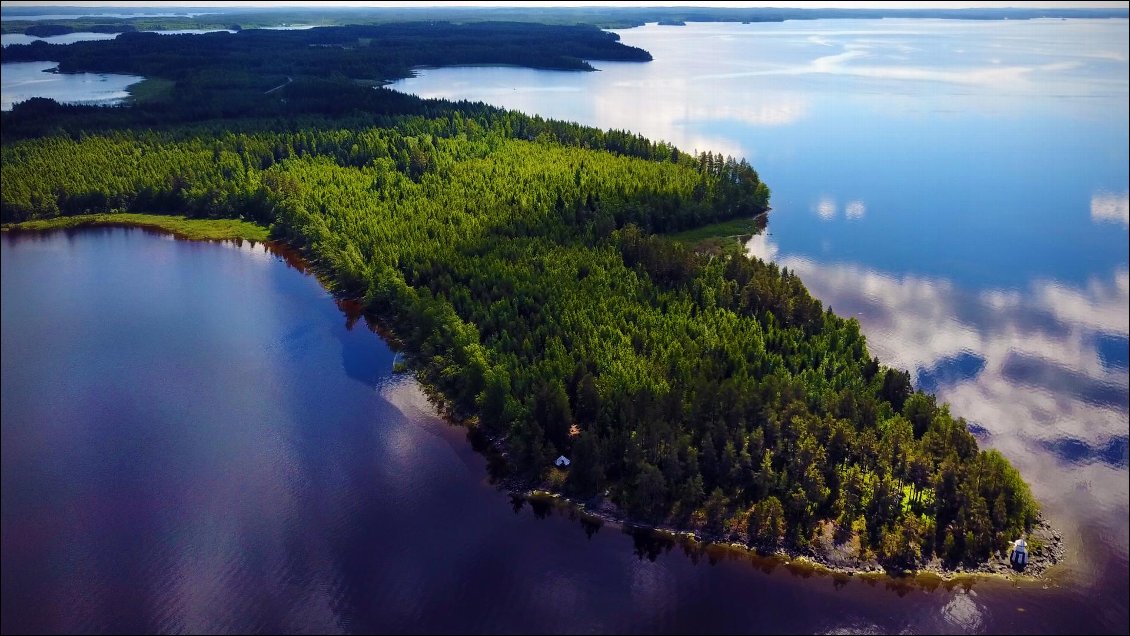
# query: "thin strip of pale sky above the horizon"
812 5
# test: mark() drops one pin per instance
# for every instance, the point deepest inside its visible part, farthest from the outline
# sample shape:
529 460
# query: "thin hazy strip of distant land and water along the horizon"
605 18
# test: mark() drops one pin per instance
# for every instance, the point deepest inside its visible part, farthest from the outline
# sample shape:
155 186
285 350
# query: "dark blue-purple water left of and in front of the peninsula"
194 441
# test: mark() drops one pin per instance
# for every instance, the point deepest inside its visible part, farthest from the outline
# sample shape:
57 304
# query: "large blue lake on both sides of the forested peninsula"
195 440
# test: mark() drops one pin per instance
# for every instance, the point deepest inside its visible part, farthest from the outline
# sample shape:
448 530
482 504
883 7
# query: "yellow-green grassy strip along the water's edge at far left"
196 230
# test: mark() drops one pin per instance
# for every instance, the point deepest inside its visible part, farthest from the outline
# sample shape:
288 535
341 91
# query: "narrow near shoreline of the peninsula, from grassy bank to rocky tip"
823 557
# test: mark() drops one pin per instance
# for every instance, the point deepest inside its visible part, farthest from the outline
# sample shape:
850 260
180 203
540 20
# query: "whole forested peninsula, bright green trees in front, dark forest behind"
523 266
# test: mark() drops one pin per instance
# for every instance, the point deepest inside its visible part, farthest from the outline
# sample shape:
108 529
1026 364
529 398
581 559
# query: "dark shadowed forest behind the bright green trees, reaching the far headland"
328 73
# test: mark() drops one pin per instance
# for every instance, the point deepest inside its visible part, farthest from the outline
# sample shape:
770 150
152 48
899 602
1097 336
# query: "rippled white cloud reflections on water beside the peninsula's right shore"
1032 369
